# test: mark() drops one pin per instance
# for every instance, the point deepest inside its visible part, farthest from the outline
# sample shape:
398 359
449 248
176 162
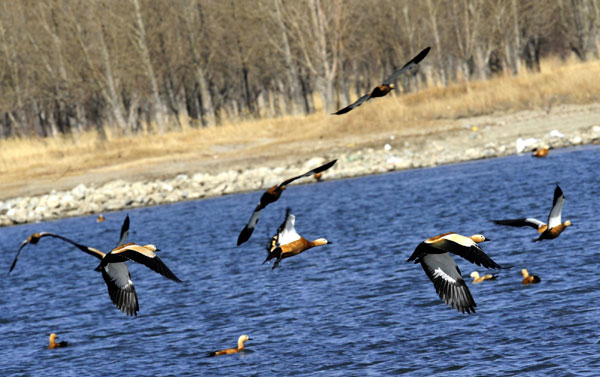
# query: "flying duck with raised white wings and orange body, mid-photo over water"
287 242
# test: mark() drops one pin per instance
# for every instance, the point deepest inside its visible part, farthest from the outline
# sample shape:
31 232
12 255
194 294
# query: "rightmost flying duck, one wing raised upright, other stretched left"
547 231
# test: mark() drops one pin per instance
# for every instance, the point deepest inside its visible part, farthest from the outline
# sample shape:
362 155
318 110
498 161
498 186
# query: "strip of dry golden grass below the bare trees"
557 83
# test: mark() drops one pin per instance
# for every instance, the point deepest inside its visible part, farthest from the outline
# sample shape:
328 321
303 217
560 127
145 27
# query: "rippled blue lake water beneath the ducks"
351 308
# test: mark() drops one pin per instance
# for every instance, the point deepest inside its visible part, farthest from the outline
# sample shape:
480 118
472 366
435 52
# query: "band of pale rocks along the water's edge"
474 142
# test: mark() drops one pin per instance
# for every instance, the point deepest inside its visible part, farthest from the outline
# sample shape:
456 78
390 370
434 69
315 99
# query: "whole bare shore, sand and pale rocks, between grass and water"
124 186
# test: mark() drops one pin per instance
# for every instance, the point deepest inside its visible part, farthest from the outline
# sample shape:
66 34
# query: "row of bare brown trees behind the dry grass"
130 65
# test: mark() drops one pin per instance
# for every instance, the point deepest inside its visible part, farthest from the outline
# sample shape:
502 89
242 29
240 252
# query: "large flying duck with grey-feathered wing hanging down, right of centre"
433 254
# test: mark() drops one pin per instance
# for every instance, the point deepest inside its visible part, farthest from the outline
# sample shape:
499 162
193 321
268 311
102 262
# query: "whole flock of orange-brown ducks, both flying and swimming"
433 253
